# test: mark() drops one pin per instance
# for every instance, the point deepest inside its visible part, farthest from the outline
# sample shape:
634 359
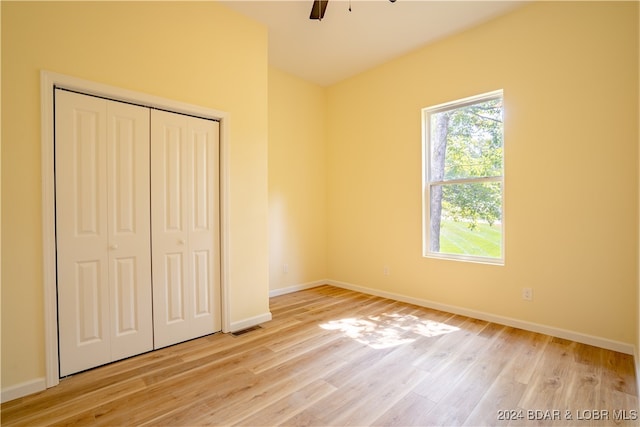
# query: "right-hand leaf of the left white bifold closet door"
129 227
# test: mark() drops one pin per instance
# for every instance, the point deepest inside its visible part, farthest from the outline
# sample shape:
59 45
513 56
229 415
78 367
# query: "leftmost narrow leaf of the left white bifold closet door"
81 231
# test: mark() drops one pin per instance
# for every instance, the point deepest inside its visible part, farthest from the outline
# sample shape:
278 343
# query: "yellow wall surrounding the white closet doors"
199 53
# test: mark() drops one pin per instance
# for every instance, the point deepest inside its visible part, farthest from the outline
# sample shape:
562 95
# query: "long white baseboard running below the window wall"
507 321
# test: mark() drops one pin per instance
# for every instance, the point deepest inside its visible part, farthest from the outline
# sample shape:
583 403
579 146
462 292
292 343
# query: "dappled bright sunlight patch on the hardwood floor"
388 330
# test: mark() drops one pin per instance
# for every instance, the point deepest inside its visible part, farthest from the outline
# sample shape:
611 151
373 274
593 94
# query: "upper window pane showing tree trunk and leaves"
466 142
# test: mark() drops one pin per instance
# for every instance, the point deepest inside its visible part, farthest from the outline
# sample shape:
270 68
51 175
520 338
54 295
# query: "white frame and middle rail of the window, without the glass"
427 183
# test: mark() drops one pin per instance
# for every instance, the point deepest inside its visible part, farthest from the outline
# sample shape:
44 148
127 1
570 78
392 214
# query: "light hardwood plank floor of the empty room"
336 357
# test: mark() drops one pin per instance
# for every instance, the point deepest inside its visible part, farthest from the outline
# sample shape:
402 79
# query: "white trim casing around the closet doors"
48 82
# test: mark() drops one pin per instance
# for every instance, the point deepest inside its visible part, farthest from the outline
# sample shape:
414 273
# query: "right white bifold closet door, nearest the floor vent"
185 227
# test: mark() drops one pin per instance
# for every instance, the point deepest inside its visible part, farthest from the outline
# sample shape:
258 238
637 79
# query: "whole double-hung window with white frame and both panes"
464 179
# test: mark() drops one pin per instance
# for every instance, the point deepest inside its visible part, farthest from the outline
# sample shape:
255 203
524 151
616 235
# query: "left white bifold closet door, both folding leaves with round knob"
102 231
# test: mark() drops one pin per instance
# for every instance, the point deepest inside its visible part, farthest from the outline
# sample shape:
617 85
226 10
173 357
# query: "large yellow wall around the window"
569 71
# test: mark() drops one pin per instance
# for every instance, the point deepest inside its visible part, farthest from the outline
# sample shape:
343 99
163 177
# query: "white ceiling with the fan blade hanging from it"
346 43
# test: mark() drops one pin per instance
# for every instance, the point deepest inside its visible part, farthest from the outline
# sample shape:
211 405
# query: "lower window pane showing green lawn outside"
466 219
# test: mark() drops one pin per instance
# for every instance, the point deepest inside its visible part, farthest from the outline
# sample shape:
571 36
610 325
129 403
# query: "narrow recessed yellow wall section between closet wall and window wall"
297 181
